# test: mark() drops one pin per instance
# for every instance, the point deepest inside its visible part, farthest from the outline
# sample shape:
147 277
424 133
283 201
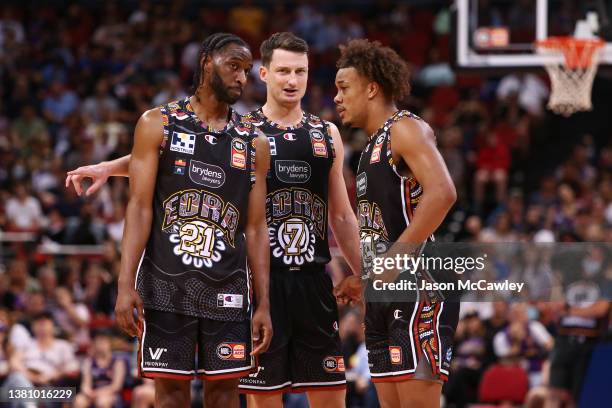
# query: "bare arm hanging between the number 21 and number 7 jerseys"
258 248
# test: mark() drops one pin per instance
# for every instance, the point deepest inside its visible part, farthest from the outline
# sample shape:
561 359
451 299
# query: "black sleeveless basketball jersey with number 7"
296 206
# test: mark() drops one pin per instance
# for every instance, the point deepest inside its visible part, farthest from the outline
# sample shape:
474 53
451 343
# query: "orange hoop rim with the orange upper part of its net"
578 52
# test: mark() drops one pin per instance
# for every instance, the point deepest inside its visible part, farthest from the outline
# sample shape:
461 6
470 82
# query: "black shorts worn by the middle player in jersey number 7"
305 353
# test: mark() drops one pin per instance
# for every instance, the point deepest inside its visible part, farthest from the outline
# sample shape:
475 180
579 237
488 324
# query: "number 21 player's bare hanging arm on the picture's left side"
138 217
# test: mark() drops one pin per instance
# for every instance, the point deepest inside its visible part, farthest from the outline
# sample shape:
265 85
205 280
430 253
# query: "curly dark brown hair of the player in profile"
379 64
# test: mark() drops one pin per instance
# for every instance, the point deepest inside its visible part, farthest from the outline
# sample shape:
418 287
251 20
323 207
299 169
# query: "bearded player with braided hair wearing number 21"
187 234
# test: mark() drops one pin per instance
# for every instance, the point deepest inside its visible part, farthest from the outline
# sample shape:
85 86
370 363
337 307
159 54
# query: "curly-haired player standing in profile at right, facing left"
404 192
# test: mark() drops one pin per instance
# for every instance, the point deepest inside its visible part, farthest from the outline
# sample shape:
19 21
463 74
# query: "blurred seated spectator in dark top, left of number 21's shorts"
102 375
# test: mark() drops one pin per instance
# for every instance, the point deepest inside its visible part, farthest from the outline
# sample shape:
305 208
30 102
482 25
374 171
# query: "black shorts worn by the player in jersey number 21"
182 347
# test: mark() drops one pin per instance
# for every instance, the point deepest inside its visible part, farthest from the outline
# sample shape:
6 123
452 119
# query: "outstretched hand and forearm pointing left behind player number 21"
98 173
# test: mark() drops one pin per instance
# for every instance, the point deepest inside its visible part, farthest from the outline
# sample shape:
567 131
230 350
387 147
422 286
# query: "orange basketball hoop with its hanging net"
572 76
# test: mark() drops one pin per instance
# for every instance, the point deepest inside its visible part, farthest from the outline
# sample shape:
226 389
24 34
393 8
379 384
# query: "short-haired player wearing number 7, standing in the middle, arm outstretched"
306 191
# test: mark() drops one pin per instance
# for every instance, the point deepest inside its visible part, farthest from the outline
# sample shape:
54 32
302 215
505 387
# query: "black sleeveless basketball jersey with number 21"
195 259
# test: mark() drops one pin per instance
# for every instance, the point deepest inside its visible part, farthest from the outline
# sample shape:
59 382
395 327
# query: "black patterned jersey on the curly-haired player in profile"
386 200
